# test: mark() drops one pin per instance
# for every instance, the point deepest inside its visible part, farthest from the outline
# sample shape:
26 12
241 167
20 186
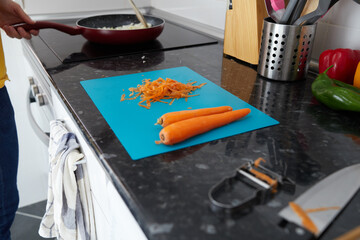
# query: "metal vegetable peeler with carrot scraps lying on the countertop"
258 183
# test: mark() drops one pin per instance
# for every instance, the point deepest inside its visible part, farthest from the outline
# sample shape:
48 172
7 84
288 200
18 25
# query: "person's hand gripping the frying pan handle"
12 13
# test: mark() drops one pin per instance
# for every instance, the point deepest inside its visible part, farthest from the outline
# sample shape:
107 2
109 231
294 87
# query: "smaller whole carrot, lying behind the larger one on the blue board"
171 117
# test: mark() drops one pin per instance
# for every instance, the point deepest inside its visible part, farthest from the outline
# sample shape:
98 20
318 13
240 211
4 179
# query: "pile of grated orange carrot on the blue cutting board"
160 89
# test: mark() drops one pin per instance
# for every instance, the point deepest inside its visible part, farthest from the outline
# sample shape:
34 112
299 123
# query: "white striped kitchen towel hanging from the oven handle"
69 211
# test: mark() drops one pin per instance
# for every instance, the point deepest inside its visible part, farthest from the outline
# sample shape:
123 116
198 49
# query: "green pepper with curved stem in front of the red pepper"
336 94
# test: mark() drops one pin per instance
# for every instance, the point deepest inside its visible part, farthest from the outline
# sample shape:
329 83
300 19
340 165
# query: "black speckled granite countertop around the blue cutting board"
168 193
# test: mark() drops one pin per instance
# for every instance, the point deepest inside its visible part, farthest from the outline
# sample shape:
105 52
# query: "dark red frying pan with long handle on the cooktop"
90 28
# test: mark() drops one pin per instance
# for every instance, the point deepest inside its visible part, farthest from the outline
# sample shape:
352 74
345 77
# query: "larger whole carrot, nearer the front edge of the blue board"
182 130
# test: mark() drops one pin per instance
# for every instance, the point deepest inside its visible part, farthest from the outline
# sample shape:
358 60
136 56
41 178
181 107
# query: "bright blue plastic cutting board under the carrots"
134 125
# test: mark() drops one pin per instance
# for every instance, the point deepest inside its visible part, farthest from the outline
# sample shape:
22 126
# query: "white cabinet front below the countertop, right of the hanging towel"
113 219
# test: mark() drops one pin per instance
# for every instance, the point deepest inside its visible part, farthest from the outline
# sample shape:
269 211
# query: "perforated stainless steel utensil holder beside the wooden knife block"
285 51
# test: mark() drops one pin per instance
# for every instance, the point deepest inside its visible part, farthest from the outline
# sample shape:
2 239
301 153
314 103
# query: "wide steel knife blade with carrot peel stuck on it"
326 198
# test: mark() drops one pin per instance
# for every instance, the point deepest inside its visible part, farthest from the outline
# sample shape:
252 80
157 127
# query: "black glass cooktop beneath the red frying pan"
76 48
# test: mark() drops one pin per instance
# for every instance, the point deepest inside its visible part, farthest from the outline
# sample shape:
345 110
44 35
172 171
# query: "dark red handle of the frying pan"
46 24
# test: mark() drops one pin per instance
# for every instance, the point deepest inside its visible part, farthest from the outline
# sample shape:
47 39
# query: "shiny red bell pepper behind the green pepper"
344 60
